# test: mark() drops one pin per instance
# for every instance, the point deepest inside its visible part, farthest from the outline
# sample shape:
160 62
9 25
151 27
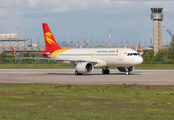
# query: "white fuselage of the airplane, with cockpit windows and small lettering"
104 57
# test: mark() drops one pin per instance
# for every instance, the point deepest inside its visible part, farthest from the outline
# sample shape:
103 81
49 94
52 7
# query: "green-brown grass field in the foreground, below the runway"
86 102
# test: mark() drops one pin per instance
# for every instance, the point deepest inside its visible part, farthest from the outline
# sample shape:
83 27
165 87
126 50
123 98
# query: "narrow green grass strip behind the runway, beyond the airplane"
60 66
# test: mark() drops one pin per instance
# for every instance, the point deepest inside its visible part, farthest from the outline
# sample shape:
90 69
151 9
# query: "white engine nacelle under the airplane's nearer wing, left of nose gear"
84 67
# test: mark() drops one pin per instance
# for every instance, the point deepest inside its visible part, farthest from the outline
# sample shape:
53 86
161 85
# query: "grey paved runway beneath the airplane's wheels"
66 76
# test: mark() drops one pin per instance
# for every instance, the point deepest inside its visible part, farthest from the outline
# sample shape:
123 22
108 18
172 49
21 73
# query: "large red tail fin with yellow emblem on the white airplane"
50 41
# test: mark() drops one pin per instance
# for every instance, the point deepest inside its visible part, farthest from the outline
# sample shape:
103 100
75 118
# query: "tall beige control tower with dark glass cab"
157 17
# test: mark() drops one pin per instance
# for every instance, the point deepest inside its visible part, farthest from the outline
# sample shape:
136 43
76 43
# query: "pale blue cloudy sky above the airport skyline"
128 19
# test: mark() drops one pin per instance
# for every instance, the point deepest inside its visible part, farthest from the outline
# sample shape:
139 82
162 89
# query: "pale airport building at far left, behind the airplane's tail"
8 40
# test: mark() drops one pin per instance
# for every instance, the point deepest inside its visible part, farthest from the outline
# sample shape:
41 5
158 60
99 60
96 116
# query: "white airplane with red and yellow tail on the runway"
86 59
